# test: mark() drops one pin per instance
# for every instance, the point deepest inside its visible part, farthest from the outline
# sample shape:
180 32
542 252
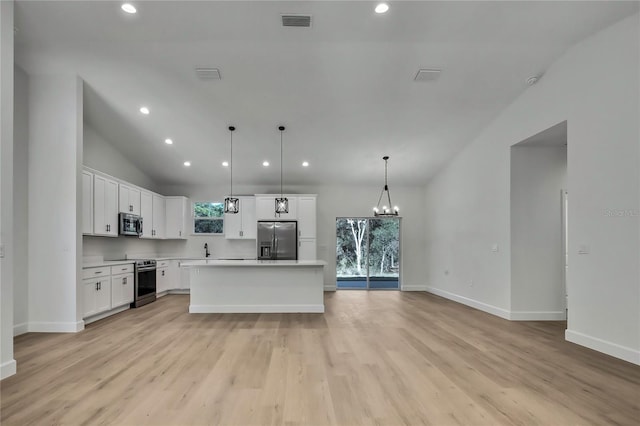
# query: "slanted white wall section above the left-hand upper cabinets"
99 154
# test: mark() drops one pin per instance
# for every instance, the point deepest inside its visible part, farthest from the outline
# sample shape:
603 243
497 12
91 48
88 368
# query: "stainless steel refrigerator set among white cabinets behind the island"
278 240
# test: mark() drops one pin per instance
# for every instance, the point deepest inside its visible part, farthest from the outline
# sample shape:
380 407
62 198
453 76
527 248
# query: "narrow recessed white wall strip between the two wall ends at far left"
20 201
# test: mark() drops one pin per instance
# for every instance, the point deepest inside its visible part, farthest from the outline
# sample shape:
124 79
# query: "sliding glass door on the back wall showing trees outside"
368 253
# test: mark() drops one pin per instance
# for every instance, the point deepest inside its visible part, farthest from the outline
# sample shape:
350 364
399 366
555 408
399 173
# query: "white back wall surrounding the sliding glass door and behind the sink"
332 202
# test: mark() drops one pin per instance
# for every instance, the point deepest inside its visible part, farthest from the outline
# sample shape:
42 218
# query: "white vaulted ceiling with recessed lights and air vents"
344 88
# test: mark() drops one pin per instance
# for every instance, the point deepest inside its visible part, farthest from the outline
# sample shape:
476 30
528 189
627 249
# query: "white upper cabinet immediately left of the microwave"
105 206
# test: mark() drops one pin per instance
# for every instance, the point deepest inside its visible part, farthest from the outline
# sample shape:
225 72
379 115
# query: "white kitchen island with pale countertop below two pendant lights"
256 286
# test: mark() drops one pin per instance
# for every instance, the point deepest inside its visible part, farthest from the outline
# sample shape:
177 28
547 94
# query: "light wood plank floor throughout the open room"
373 358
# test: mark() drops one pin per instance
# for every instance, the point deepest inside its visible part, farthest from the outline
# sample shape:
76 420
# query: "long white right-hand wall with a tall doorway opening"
595 87
